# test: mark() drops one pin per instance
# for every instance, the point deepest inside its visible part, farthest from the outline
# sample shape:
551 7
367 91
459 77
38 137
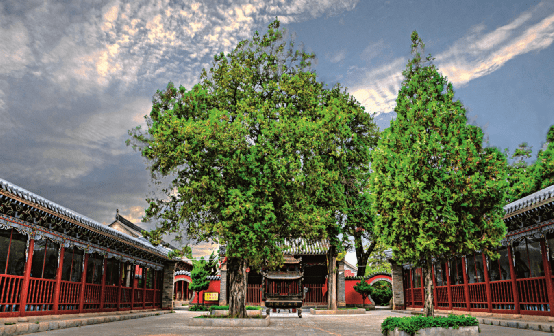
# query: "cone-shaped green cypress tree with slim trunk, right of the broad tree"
437 191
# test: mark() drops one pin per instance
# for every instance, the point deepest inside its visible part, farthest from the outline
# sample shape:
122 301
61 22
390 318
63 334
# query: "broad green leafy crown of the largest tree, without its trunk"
257 152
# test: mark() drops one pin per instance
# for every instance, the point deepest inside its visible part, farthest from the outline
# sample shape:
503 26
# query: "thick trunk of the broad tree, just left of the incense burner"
237 287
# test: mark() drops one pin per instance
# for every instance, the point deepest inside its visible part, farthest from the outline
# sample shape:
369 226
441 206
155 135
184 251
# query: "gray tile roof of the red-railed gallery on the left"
36 199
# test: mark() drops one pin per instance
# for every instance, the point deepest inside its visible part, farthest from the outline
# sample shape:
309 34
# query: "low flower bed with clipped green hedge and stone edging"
410 325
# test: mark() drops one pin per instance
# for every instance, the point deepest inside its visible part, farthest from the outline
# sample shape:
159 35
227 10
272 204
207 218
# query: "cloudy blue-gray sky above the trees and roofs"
75 76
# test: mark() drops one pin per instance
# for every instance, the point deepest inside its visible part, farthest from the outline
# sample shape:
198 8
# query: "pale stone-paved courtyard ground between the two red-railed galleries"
285 325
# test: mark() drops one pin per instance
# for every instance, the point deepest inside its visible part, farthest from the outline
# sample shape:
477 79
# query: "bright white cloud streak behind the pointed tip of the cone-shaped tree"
475 55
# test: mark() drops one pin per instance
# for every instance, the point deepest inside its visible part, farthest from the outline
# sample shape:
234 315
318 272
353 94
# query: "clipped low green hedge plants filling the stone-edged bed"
412 324
